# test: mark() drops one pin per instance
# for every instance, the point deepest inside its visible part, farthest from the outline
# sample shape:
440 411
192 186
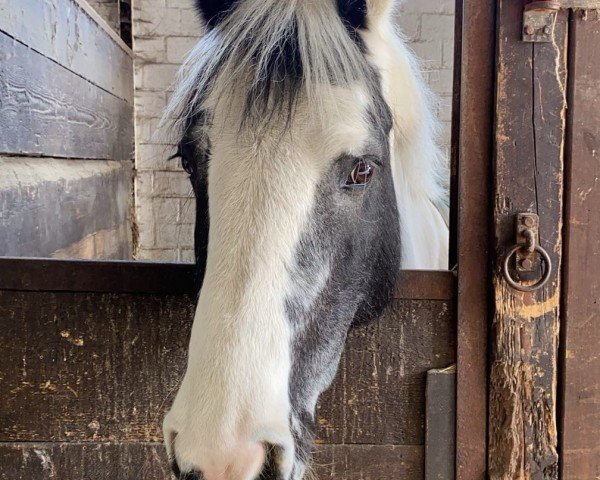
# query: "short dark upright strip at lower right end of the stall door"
440 424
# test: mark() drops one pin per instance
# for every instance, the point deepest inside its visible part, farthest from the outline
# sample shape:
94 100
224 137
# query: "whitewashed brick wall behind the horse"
163 32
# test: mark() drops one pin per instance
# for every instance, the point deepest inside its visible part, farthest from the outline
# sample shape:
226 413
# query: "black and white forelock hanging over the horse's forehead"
272 54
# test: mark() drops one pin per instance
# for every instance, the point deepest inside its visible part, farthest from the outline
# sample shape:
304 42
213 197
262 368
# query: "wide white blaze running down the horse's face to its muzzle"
235 392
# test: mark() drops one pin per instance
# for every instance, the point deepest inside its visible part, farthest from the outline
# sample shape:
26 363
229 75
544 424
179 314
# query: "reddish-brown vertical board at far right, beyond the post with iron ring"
580 333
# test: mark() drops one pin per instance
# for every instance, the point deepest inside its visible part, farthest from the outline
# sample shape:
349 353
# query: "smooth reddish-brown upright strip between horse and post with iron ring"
473 138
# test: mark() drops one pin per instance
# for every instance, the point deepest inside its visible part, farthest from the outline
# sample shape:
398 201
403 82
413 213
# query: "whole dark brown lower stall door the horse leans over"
93 353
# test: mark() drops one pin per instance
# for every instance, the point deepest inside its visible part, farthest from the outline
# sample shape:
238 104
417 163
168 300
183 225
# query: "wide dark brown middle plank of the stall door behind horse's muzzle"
104 367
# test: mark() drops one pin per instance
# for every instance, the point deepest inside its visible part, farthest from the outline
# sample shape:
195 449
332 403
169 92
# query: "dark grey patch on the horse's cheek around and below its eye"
344 271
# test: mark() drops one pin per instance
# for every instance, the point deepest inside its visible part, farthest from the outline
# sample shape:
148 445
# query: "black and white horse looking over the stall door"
310 140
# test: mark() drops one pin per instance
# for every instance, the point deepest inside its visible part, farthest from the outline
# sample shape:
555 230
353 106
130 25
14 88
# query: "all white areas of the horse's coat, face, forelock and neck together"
235 394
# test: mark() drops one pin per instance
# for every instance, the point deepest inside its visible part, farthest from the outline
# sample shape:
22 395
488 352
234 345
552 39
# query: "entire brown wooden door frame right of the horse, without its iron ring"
514 150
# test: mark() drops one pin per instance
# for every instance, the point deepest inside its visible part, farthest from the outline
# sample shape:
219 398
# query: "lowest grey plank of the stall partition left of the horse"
51 207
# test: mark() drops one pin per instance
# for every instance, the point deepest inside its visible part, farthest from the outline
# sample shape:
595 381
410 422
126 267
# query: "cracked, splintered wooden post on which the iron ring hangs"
530 118
